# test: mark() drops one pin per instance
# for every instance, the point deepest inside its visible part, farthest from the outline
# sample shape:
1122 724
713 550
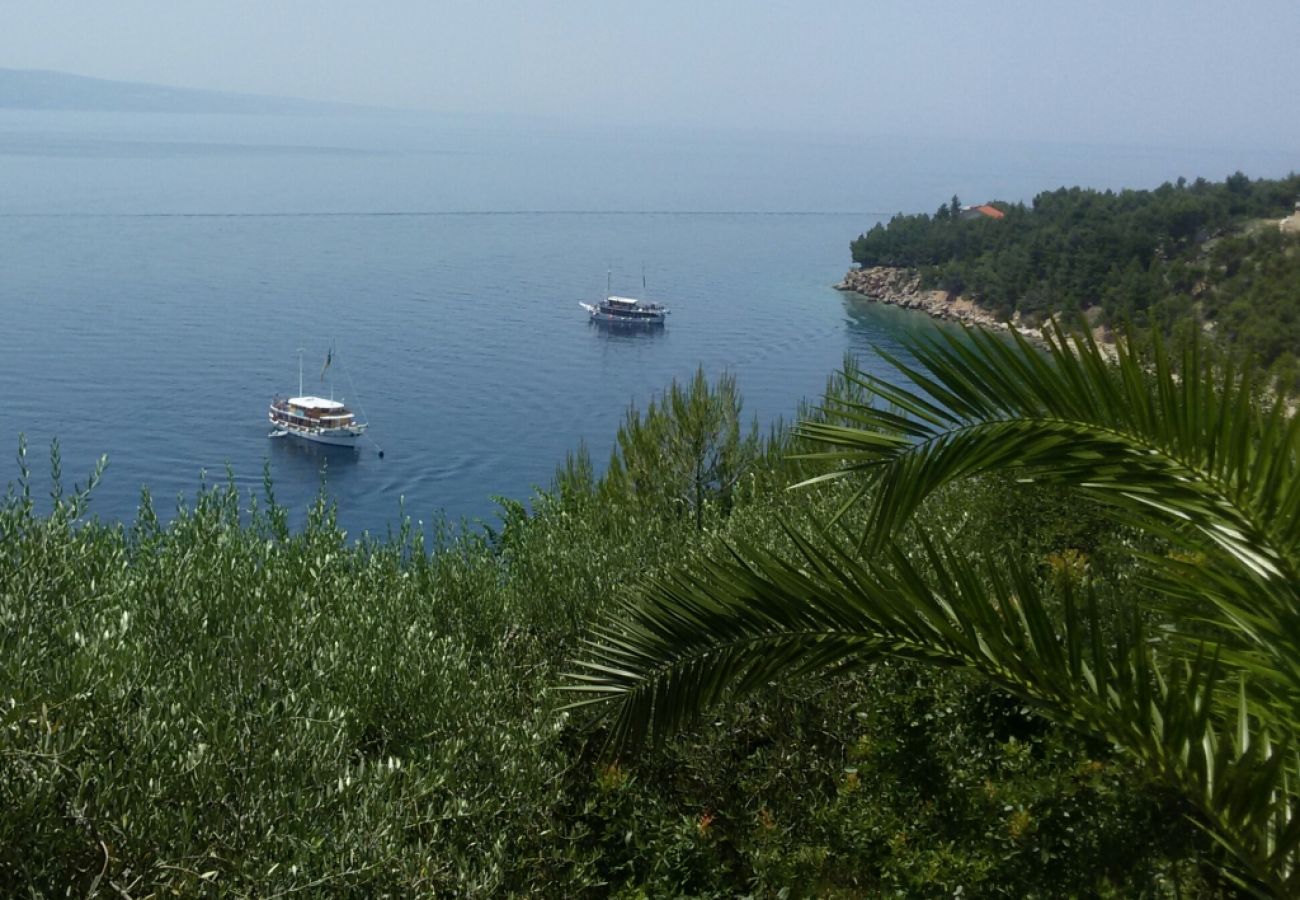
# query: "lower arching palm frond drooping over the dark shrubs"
682 644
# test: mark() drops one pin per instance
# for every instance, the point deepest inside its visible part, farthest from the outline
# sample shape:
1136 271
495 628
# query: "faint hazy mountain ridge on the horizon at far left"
34 89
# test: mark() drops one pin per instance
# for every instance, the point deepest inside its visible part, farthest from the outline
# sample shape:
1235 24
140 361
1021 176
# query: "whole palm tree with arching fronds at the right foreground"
1202 687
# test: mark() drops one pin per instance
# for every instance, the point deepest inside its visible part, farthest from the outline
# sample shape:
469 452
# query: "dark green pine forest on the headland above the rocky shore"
1188 254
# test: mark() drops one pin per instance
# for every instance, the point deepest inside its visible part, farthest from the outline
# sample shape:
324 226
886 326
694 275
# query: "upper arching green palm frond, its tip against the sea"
1182 453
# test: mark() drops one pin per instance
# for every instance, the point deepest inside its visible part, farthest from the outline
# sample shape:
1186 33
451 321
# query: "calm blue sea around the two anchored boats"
164 276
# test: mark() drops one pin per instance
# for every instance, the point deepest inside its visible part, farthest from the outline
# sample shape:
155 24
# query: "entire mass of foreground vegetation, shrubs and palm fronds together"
1026 628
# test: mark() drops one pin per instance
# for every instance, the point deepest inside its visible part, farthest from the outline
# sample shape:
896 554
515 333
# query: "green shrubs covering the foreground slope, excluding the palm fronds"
216 706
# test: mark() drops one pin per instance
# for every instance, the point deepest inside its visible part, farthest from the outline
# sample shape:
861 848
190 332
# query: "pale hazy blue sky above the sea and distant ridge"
1212 73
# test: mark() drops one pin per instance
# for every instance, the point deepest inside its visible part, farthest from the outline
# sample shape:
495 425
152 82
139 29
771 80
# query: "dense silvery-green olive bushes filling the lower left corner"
206 707
